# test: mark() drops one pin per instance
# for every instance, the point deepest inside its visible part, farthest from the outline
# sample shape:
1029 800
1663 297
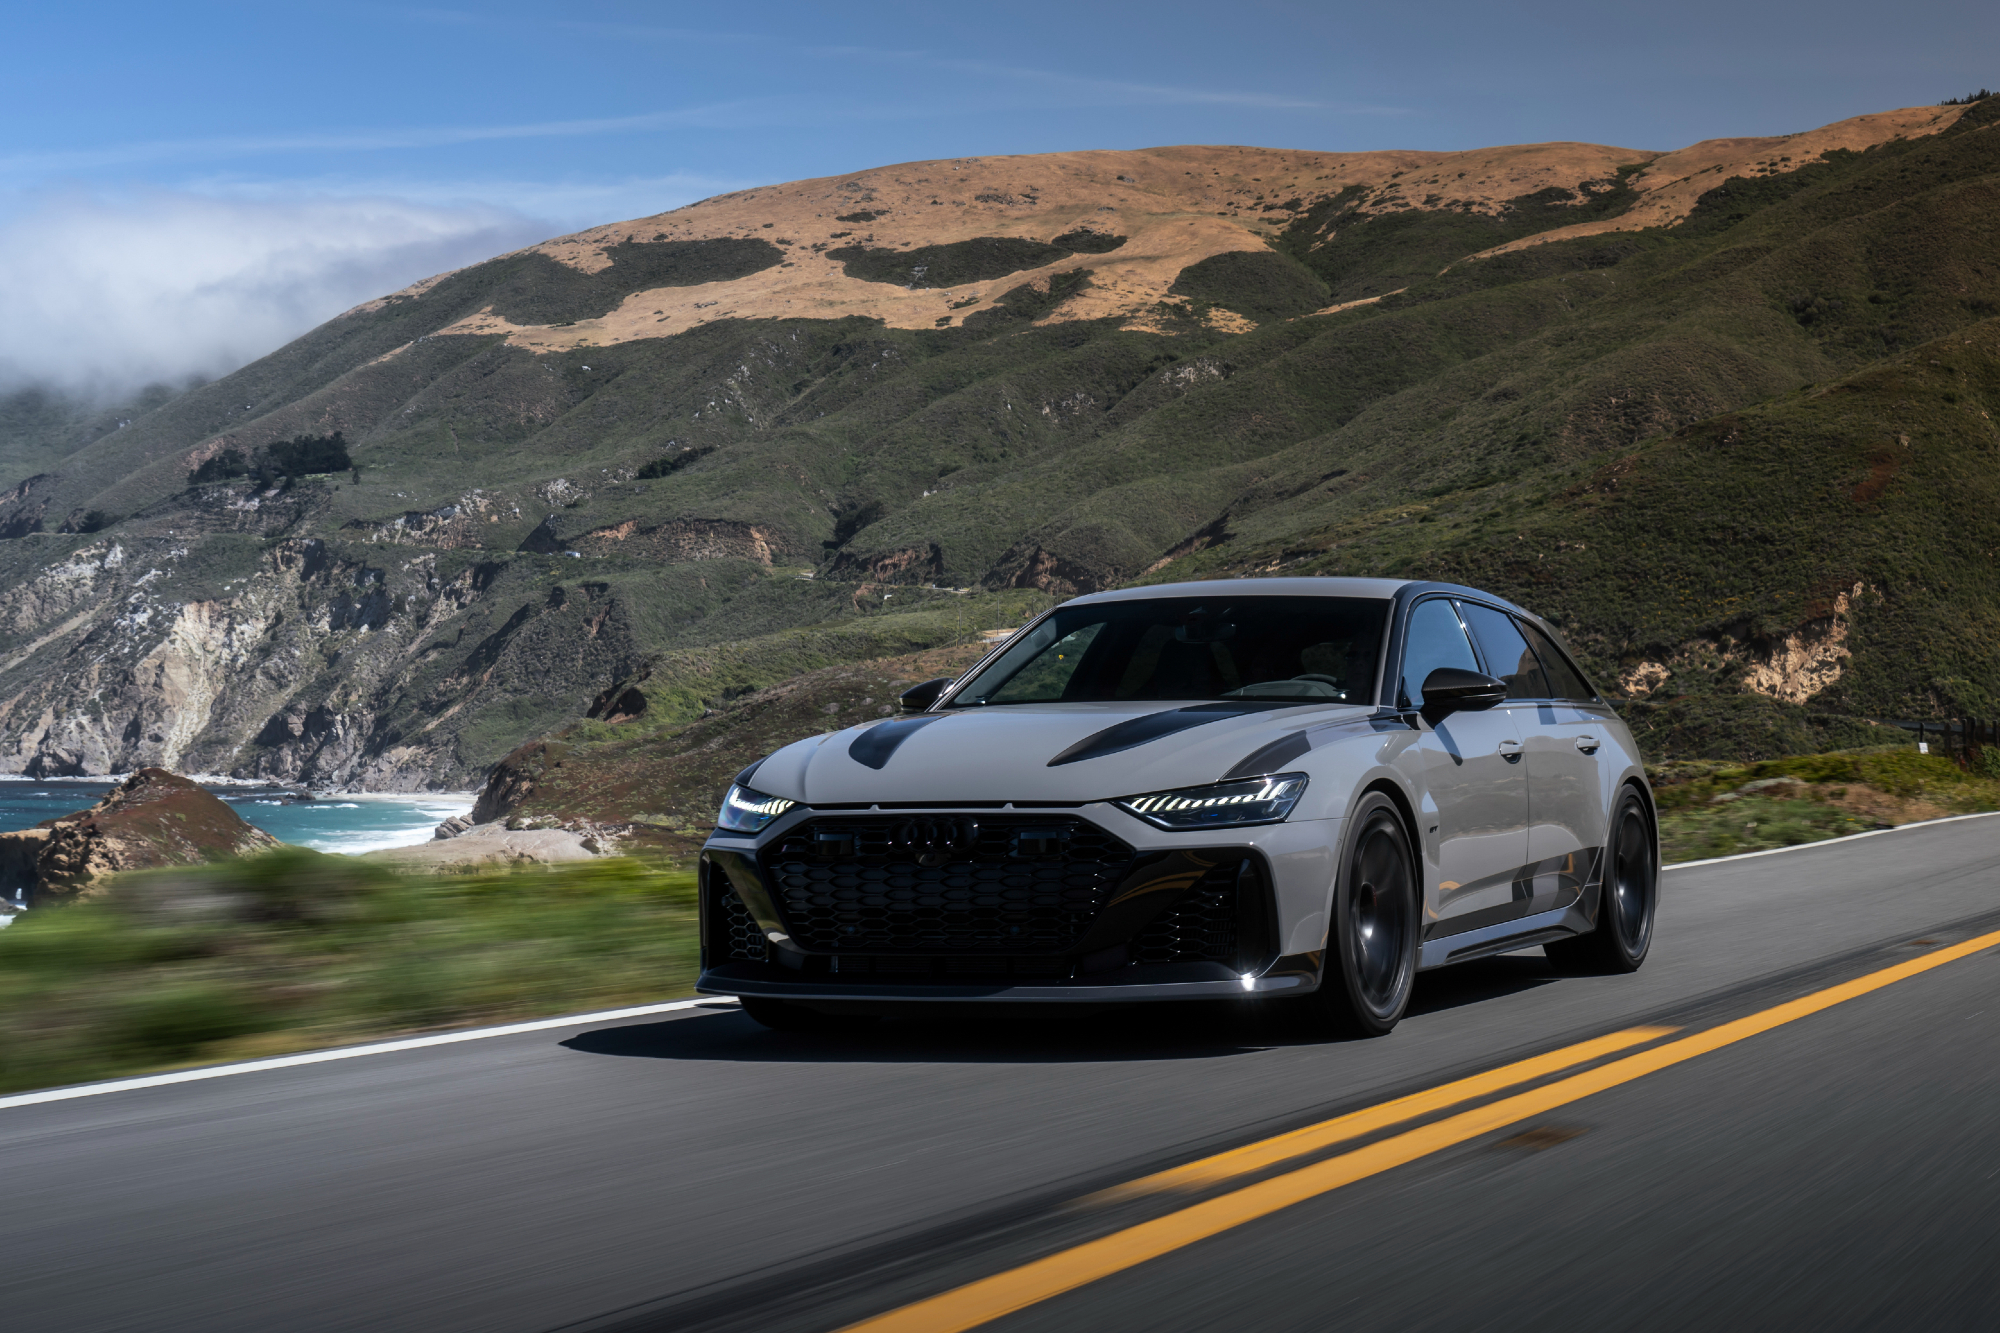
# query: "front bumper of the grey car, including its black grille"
1167 922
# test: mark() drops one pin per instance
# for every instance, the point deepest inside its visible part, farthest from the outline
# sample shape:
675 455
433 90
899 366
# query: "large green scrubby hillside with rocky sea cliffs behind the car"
1747 461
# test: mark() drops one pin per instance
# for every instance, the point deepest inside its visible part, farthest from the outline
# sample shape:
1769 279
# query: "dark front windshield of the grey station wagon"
1307 649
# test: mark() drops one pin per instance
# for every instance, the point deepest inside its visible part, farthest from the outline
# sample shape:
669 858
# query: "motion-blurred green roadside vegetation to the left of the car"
297 950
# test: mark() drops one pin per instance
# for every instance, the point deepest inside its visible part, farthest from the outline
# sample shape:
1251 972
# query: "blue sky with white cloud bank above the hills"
189 185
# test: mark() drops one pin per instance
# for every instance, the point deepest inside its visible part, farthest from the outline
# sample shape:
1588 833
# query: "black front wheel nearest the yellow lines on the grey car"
1371 958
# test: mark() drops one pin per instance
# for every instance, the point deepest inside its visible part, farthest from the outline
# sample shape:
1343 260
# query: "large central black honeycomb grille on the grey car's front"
945 886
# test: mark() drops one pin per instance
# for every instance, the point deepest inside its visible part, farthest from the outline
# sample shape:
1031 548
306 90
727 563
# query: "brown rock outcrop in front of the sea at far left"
151 820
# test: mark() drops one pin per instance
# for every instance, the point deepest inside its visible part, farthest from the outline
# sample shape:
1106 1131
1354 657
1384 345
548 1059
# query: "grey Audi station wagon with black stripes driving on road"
1267 788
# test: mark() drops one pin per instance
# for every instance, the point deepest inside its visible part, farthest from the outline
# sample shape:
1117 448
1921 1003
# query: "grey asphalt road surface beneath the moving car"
1839 1172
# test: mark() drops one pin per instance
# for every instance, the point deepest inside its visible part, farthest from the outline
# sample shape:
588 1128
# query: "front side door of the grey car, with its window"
1477 822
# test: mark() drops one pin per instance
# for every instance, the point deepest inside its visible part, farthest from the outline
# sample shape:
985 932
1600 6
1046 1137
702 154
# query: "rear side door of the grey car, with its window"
1559 722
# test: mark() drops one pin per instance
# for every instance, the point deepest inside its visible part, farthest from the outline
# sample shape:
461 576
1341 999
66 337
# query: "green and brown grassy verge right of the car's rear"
1717 810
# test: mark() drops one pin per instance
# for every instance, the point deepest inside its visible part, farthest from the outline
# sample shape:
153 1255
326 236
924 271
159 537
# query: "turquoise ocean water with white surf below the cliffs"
337 824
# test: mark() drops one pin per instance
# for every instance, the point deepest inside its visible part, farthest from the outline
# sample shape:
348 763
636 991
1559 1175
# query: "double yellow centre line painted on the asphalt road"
1041 1280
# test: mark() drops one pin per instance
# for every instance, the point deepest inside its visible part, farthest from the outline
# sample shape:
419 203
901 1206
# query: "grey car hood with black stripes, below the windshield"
1087 752
